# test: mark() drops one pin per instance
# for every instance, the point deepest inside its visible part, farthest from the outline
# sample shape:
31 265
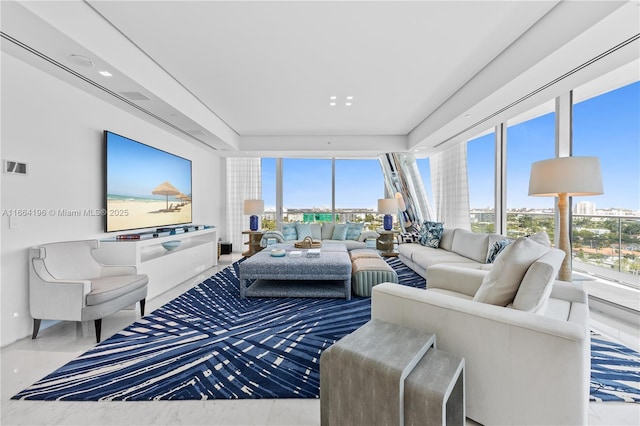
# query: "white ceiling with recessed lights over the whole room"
256 77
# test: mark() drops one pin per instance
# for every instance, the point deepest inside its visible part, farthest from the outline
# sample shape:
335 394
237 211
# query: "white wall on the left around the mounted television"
58 130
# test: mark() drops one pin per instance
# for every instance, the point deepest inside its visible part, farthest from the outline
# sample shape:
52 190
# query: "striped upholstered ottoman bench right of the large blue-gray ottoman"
369 269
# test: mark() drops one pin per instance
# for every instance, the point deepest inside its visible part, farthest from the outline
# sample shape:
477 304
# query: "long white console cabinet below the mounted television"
197 252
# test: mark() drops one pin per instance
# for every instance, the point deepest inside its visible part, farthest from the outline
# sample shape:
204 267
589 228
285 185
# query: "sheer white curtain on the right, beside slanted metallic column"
450 186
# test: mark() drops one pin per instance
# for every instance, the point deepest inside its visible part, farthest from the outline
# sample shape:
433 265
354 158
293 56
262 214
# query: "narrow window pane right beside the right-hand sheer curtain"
481 173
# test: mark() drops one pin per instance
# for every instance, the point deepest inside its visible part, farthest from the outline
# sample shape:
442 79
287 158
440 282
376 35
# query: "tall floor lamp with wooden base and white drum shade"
565 177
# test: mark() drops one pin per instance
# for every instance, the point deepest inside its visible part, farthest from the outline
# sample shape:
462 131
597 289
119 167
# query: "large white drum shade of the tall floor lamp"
574 176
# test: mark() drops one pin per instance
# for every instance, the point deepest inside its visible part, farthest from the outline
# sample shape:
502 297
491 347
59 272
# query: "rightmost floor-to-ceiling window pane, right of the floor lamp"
606 228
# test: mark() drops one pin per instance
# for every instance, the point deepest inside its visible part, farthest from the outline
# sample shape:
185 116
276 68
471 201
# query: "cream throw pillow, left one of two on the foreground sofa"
501 284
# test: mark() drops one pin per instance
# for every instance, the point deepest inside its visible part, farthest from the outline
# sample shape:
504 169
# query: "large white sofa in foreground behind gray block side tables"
523 366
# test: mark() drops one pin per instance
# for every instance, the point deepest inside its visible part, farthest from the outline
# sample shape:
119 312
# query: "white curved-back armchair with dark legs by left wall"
67 283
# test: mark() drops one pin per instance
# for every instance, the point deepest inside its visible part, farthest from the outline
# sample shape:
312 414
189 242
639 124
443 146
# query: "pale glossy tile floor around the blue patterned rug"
26 361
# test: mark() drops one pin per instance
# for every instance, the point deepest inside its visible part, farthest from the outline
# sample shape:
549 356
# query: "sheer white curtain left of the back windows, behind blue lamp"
244 182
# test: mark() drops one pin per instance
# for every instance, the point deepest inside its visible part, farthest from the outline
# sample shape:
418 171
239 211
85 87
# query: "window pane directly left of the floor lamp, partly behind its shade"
527 142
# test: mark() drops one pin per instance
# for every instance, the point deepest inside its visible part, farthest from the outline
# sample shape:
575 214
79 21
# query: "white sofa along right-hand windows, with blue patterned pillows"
457 246
